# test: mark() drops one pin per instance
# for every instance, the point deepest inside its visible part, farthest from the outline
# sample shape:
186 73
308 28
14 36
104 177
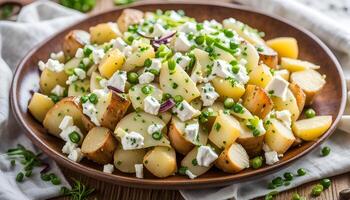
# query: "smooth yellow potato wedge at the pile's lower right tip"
311 129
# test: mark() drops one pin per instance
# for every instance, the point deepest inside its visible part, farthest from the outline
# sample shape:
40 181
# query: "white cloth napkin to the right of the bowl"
330 21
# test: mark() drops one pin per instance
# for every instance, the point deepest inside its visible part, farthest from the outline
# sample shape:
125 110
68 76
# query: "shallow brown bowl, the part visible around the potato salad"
330 101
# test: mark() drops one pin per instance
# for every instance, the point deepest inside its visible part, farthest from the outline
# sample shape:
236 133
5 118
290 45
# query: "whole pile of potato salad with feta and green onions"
162 93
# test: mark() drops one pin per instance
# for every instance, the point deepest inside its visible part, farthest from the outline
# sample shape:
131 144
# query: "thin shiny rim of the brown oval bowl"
173 184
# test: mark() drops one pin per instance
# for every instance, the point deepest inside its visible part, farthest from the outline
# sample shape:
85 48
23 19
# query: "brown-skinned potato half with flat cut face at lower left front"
104 153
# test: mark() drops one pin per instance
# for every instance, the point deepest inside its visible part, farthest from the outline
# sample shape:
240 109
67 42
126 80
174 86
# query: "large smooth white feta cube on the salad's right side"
278 87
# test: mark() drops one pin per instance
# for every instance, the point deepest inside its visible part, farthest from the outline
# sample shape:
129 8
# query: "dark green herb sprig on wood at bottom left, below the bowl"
79 191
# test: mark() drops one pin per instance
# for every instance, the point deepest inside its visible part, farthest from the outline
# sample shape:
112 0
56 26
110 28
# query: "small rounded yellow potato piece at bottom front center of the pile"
161 161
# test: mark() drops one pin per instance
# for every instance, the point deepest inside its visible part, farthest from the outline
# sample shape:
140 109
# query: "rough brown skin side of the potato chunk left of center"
115 111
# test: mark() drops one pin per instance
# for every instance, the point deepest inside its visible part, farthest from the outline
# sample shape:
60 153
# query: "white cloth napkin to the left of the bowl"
35 23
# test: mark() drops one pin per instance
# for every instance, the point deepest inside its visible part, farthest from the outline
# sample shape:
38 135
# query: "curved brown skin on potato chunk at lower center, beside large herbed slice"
177 139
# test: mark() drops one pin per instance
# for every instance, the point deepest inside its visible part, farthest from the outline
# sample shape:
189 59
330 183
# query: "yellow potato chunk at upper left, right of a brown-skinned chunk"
104 32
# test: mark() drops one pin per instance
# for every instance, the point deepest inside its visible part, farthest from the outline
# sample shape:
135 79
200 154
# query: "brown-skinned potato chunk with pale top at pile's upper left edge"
72 42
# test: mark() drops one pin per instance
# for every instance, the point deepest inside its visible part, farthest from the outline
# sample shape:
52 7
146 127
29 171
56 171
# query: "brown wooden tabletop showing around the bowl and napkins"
106 191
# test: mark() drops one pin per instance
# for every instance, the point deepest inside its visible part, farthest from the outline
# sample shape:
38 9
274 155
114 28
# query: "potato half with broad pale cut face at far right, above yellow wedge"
310 81
